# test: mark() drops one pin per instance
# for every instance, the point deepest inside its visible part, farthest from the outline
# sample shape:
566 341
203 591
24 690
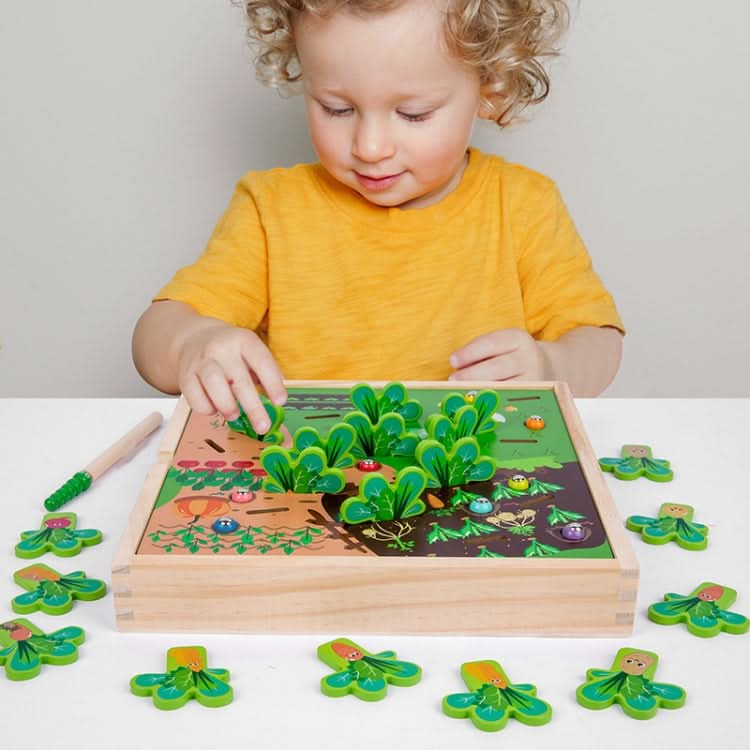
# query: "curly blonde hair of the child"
504 40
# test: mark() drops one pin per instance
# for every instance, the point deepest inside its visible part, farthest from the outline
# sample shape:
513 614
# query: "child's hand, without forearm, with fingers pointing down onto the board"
219 365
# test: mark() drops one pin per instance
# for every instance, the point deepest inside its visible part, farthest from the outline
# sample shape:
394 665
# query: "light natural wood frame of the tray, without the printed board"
420 595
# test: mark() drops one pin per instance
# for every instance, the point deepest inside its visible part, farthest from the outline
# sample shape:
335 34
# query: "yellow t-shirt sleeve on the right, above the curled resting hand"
561 290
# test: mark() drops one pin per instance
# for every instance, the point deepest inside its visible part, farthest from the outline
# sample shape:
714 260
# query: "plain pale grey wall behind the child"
124 125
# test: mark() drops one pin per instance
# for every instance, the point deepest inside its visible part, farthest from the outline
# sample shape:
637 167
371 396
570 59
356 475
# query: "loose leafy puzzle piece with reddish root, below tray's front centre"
361 673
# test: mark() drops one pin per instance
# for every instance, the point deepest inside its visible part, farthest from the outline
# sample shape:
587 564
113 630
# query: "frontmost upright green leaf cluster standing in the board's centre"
378 500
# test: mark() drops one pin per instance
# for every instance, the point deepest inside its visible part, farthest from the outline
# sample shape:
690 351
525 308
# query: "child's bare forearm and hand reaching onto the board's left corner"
213 364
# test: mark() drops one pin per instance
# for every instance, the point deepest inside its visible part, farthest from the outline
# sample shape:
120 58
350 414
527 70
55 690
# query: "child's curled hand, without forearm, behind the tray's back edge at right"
509 354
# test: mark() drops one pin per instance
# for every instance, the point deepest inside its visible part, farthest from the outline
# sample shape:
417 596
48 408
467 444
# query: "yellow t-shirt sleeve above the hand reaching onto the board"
230 280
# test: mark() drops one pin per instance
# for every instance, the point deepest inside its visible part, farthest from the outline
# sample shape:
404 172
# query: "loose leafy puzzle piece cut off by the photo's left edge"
24 648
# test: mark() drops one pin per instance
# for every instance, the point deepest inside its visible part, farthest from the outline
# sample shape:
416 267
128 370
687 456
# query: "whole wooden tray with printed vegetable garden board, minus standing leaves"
207 550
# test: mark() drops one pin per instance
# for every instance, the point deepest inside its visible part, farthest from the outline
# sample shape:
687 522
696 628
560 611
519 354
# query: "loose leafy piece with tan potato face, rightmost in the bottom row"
629 682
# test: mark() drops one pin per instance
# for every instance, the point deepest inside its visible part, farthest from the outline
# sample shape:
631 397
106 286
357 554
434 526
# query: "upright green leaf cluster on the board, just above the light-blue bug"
460 465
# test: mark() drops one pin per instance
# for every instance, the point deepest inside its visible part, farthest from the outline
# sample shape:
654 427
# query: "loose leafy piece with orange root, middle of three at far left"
53 592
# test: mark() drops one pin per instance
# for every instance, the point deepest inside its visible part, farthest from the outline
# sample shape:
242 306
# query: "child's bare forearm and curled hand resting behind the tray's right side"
587 358
